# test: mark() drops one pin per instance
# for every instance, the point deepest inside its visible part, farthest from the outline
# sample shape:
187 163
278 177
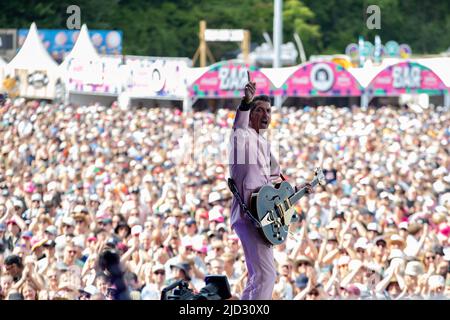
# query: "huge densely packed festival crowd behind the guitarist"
150 184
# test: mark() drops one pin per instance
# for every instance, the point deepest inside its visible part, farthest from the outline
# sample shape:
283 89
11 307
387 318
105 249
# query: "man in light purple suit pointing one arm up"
252 166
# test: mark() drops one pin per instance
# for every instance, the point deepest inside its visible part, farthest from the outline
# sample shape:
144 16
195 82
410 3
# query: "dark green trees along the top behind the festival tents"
170 28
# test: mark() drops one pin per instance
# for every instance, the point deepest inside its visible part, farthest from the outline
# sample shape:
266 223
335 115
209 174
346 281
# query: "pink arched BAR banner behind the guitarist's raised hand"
227 80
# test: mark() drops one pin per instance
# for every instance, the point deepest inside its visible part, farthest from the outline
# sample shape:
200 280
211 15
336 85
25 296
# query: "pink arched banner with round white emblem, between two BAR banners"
325 79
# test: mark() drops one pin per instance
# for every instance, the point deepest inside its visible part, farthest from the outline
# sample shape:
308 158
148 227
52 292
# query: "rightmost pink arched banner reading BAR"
406 77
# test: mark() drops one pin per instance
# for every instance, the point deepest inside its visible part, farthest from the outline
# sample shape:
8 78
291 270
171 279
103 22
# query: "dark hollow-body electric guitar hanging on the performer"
273 207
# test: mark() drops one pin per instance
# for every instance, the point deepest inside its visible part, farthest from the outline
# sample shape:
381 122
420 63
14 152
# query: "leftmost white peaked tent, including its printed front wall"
34 69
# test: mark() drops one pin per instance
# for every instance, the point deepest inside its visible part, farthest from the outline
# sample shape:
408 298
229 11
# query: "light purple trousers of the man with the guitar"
260 262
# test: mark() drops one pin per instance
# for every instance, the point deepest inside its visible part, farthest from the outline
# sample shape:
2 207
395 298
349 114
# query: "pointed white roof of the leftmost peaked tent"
33 55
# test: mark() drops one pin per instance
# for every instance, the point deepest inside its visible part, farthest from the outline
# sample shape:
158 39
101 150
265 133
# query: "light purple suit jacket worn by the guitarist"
252 165
